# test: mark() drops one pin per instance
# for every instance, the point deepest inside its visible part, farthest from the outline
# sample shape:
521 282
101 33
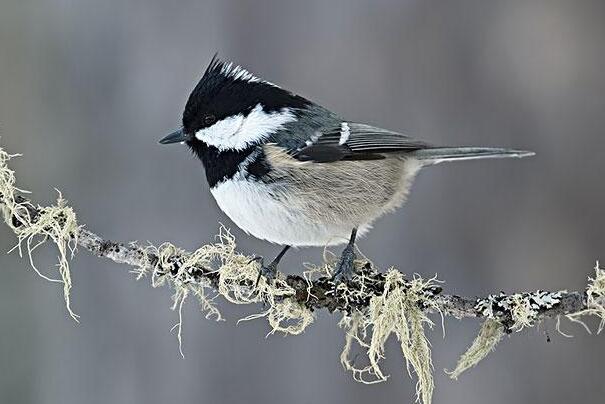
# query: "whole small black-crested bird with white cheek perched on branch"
291 172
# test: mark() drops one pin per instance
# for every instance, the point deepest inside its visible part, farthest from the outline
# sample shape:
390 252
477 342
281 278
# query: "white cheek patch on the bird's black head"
239 131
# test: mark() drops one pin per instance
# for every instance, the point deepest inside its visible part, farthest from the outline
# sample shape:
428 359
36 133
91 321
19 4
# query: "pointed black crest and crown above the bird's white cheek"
227 89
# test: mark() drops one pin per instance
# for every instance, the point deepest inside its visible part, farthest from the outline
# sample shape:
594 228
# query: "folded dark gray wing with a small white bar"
355 141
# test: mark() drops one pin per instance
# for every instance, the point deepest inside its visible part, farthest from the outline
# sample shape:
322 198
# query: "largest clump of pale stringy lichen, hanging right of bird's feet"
397 311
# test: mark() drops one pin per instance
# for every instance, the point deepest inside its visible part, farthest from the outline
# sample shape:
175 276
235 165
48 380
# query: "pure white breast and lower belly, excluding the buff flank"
252 208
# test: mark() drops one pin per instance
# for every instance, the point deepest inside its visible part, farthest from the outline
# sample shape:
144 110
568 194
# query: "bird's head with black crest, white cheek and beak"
231 109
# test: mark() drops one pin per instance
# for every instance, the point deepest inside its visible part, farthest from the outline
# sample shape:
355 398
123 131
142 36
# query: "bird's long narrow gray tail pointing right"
441 154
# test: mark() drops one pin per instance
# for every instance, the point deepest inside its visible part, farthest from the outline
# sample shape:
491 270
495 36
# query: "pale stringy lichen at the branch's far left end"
56 223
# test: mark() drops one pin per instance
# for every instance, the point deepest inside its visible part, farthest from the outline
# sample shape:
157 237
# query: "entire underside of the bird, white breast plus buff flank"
321 206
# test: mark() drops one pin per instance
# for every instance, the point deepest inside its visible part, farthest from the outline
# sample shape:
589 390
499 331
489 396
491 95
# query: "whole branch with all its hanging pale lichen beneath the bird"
374 305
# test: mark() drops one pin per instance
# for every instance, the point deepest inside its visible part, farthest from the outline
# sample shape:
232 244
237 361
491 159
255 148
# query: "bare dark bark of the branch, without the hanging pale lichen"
320 293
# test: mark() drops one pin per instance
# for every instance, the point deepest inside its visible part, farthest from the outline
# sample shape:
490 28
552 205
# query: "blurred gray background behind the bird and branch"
87 88
